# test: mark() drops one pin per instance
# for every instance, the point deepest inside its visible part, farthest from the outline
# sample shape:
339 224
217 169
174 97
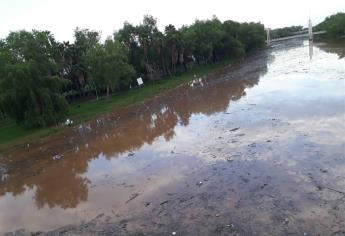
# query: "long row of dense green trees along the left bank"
40 77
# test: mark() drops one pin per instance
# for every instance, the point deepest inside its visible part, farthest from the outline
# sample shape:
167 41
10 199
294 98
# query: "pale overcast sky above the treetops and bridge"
62 16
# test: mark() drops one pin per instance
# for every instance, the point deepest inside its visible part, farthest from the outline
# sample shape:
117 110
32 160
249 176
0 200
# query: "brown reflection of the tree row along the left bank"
60 182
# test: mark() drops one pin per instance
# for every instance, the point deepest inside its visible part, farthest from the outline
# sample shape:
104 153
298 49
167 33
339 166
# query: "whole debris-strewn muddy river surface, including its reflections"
255 150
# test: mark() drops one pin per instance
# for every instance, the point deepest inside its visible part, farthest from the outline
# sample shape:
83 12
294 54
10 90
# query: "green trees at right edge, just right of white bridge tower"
334 26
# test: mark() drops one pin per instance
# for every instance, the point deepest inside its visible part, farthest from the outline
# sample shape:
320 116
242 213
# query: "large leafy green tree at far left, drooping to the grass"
30 87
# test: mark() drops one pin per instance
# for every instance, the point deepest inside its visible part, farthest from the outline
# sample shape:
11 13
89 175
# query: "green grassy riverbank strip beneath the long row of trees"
12 134
